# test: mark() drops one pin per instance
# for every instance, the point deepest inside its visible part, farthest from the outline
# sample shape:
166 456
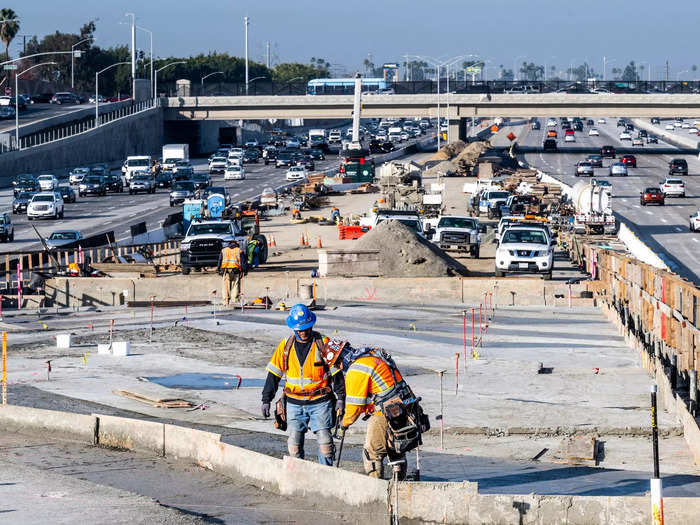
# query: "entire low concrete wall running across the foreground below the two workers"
433 502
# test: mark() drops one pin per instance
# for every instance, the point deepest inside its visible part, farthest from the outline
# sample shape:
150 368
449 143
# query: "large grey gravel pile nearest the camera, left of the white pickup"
403 253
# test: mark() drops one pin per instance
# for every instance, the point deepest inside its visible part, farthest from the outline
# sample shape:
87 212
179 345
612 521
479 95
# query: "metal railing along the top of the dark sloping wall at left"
76 127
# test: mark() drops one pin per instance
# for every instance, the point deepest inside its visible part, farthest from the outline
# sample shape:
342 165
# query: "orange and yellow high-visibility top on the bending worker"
366 378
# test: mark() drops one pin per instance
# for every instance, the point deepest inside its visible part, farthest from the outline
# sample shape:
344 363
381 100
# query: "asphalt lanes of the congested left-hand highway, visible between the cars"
91 215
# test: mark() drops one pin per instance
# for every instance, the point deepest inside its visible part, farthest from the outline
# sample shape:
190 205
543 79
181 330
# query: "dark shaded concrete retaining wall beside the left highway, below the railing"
111 142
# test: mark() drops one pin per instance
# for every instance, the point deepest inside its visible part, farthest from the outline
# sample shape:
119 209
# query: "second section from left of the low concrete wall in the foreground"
131 434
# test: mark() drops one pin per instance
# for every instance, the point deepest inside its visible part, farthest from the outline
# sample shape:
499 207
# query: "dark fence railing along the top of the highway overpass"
267 88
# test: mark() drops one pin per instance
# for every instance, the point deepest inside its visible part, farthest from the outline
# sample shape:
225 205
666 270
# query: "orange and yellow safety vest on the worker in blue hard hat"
305 381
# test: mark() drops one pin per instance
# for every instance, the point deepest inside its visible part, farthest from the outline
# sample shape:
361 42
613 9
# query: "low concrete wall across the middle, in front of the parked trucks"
525 291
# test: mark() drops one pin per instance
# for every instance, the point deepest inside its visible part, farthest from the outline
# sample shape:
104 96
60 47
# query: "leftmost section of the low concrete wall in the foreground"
76 426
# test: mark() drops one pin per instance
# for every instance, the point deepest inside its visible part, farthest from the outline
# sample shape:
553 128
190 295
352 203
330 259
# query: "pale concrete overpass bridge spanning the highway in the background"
455 107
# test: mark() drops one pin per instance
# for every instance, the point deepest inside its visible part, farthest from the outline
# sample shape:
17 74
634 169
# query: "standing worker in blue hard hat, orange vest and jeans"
314 393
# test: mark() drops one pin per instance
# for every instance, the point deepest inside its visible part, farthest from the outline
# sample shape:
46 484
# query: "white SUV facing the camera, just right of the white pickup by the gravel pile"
525 250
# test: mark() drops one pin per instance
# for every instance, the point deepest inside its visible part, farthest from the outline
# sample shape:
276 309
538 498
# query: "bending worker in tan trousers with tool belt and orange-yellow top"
375 389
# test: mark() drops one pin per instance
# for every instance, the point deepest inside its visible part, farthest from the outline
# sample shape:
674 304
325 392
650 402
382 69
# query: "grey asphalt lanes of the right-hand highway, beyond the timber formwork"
664 229
